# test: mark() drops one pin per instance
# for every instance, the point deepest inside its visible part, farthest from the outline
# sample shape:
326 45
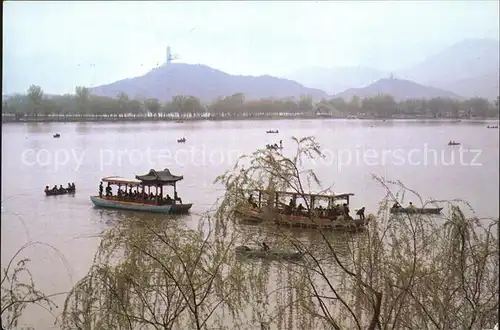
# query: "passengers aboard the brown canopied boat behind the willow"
331 213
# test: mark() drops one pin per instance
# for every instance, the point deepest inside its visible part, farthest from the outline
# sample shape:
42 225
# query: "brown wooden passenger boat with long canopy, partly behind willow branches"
270 210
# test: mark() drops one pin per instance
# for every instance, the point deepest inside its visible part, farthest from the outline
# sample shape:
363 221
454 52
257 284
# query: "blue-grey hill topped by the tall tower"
206 83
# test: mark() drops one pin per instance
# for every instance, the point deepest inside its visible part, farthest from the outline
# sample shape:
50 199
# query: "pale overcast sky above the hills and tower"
60 45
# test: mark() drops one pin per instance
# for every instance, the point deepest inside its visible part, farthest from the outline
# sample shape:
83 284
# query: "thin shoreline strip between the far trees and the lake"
185 120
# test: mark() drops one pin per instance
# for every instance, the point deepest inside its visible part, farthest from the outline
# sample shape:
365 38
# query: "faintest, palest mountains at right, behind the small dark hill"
469 68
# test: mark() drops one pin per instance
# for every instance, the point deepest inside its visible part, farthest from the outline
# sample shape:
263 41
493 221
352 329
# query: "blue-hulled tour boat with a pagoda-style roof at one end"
145 200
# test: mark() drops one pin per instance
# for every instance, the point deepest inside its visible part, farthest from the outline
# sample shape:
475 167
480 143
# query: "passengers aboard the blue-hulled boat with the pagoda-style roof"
134 195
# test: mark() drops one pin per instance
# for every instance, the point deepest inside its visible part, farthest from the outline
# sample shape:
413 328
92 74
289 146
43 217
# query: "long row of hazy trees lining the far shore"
83 104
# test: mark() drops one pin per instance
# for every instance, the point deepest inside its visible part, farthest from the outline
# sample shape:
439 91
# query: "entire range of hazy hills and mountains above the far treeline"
467 69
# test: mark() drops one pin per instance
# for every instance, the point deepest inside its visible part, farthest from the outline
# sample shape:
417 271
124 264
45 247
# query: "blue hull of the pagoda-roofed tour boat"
143 207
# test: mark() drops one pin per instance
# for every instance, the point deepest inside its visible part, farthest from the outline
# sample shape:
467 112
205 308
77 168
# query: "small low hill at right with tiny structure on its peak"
400 89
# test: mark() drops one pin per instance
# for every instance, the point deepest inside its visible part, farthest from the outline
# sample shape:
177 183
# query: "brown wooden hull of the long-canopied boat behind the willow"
291 221
